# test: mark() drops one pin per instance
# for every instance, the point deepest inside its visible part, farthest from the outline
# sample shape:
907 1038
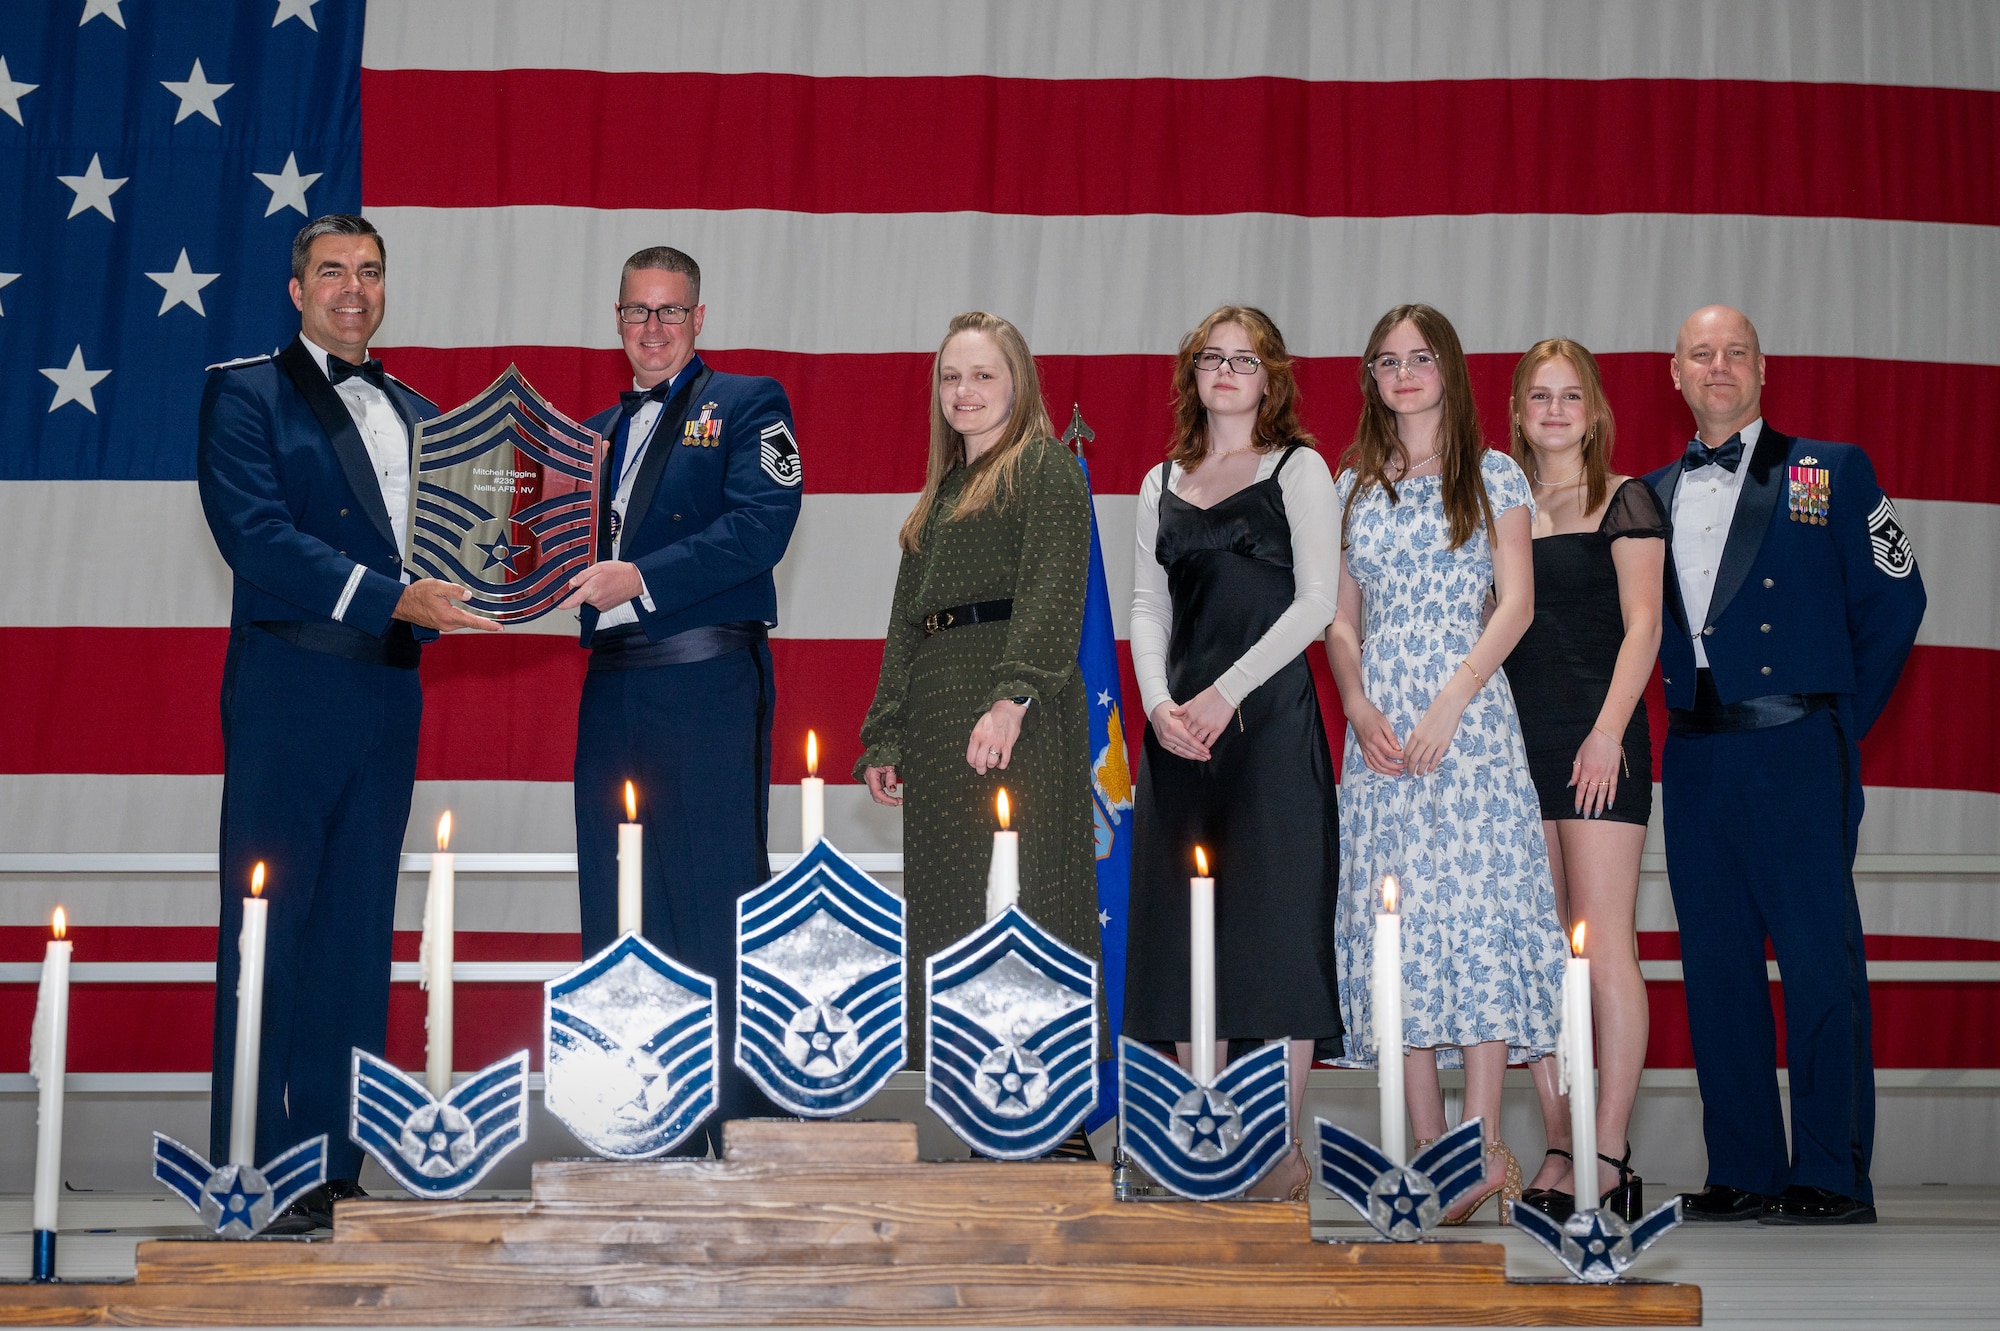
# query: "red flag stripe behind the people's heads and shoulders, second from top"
1127 401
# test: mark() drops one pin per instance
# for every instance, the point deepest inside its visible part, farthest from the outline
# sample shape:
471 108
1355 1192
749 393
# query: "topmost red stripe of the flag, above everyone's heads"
1121 147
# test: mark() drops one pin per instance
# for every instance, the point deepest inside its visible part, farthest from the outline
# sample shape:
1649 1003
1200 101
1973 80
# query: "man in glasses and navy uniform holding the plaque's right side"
699 505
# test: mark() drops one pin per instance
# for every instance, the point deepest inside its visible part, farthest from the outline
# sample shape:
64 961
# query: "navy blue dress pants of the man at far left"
319 760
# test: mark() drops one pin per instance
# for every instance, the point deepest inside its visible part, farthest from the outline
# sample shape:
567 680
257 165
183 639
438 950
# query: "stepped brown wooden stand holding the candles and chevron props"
777 1236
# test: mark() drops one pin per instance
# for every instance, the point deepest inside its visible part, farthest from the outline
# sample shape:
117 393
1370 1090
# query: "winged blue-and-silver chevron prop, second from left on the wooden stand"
439 1148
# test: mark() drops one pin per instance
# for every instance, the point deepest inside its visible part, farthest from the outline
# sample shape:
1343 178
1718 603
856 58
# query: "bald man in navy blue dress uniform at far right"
1797 601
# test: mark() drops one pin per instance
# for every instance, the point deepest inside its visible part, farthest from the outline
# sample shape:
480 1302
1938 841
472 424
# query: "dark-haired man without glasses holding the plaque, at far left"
305 479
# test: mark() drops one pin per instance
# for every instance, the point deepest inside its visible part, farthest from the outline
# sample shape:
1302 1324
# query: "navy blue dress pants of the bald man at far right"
1761 832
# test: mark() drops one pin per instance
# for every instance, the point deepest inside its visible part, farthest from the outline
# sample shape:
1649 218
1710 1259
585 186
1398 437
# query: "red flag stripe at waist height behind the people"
505 708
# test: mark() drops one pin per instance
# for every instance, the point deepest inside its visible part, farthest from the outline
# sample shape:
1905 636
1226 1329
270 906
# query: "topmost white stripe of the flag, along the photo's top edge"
1953 45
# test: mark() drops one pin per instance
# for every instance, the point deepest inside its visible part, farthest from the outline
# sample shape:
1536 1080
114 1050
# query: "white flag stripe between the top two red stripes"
1133 285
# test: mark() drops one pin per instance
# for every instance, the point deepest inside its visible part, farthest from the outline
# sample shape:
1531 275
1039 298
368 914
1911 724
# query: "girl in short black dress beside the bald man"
1577 676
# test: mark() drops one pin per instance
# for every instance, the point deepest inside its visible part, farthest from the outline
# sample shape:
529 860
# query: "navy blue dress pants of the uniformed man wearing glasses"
695 740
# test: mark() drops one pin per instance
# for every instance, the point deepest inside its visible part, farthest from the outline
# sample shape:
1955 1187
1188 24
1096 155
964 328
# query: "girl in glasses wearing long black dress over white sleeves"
1235 583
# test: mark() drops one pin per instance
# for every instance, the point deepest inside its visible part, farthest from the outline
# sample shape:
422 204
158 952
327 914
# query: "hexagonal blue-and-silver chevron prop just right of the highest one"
1013 1036
